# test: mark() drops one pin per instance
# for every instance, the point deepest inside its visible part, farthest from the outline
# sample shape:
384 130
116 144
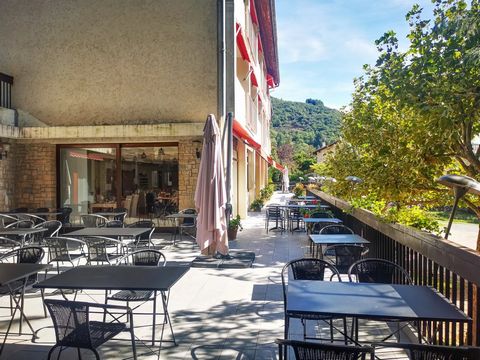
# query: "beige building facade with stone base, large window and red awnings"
107 99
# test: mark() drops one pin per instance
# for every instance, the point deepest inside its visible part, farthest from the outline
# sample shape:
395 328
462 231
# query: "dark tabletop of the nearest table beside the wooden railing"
370 301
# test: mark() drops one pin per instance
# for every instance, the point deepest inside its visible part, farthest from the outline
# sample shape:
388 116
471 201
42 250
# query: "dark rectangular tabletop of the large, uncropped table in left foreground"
116 278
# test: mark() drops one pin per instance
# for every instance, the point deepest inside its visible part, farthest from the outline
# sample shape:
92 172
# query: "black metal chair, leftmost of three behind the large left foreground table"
64 249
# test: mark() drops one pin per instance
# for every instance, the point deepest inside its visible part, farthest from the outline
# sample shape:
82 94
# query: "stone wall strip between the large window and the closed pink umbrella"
188 173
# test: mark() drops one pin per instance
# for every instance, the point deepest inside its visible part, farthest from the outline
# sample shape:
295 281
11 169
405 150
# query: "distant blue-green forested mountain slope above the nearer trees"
300 123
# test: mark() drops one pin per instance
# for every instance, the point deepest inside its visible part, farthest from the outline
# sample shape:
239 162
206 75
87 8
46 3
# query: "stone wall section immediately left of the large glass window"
35 178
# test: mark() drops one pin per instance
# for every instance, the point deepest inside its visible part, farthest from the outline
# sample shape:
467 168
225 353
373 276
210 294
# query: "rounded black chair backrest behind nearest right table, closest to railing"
378 271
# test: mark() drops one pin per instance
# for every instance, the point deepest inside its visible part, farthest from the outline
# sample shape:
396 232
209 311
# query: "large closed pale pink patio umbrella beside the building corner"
210 194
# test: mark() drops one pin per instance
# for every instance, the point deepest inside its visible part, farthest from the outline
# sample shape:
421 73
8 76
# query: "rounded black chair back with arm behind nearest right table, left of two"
306 269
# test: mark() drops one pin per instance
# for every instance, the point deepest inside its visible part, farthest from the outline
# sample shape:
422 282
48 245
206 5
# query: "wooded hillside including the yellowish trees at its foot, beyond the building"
300 128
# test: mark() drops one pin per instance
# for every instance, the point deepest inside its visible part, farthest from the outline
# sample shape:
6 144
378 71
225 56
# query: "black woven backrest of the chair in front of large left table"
71 322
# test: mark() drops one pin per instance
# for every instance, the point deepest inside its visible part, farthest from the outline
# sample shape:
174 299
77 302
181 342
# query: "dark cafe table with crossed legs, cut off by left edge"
14 277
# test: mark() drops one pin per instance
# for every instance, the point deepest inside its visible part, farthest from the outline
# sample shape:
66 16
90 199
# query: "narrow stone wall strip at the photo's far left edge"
7 179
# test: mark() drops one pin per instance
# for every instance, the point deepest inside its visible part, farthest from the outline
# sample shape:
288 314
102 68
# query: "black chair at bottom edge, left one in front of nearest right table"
317 351
